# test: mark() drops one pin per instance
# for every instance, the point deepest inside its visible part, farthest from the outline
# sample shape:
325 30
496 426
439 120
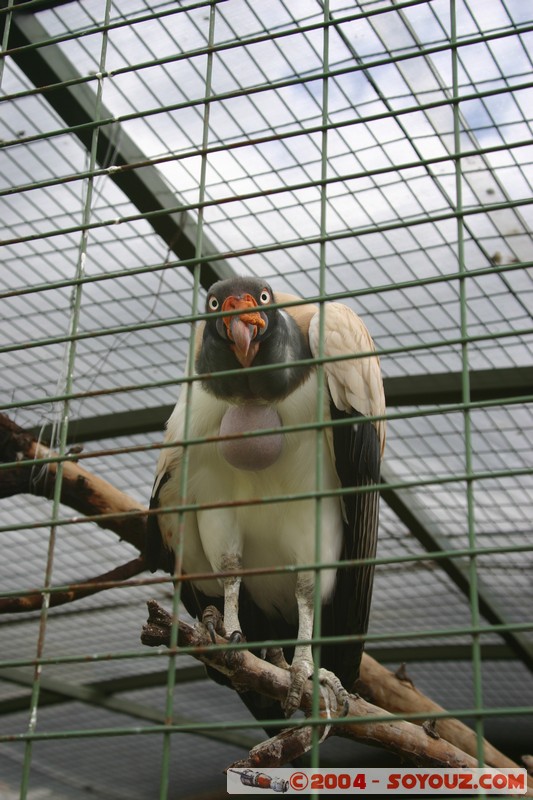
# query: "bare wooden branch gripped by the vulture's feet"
249 672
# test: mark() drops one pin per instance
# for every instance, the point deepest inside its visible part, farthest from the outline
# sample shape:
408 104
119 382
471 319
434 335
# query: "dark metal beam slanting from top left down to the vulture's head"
143 185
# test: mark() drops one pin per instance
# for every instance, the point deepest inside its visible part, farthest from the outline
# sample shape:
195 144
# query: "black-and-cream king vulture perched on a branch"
308 376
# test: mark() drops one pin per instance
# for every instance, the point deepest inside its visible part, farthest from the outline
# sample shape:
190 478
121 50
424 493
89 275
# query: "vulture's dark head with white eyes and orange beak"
247 323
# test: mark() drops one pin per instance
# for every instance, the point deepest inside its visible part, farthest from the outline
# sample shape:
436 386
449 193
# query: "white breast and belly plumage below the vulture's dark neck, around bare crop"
266 534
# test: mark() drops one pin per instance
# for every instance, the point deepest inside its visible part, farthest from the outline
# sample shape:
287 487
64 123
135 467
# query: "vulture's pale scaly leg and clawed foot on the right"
302 666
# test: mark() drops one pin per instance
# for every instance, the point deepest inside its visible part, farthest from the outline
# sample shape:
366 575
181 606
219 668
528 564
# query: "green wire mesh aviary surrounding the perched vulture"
373 153
